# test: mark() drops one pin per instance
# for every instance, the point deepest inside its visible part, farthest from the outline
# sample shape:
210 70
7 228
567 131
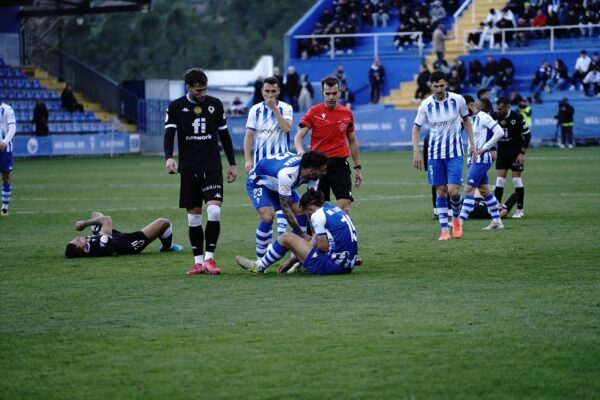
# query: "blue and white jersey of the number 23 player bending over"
279 173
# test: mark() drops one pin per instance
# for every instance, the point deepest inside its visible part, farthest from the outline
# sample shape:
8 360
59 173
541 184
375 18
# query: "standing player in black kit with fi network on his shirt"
199 121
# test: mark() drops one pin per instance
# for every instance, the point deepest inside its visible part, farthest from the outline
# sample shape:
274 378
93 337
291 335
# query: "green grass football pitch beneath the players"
498 314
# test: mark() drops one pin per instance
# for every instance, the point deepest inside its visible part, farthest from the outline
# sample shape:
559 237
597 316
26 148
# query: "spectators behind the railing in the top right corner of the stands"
581 15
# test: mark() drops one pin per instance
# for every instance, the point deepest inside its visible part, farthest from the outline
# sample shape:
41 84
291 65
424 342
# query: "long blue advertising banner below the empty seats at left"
64 145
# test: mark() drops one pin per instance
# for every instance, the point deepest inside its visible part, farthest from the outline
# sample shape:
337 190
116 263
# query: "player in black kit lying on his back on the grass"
106 241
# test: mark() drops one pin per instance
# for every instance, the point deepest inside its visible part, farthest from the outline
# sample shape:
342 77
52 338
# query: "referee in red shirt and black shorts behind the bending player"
332 126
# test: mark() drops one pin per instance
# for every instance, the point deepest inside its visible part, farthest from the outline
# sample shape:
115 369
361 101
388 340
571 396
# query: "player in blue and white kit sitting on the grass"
333 249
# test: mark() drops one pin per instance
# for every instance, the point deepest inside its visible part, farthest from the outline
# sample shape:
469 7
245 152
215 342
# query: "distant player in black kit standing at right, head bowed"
511 151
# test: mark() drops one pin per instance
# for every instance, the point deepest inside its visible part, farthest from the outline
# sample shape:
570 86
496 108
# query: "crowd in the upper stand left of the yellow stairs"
351 16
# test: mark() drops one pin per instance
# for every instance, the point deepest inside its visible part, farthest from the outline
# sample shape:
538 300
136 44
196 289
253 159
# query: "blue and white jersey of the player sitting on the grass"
341 234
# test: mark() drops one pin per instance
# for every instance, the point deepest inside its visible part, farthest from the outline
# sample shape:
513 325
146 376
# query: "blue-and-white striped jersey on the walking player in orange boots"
445 125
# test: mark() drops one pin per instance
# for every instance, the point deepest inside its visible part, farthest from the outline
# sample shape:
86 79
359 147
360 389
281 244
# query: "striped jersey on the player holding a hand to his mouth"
269 138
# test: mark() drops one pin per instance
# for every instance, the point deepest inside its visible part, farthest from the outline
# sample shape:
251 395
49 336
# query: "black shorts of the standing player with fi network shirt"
198 187
